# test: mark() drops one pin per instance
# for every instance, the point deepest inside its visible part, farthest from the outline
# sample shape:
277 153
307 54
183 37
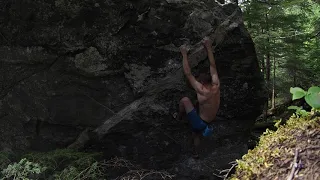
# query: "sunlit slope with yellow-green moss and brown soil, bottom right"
274 156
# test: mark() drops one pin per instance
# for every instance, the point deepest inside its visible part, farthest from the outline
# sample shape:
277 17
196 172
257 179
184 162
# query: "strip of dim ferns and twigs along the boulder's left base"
67 164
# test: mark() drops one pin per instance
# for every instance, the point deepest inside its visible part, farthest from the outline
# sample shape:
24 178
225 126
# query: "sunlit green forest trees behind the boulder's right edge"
286 34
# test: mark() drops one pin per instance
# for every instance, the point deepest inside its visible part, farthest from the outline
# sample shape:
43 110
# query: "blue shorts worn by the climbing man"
198 125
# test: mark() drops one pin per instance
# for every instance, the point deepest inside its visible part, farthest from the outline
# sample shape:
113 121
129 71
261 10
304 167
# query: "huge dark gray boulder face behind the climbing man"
114 68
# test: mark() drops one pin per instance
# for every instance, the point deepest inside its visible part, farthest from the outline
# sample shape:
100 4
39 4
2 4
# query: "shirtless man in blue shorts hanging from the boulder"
207 88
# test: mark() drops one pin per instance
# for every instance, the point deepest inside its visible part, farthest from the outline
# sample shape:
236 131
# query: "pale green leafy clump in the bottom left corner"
24 170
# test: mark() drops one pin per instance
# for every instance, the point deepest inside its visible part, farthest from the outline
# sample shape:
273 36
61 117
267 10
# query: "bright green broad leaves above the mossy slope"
312 97
